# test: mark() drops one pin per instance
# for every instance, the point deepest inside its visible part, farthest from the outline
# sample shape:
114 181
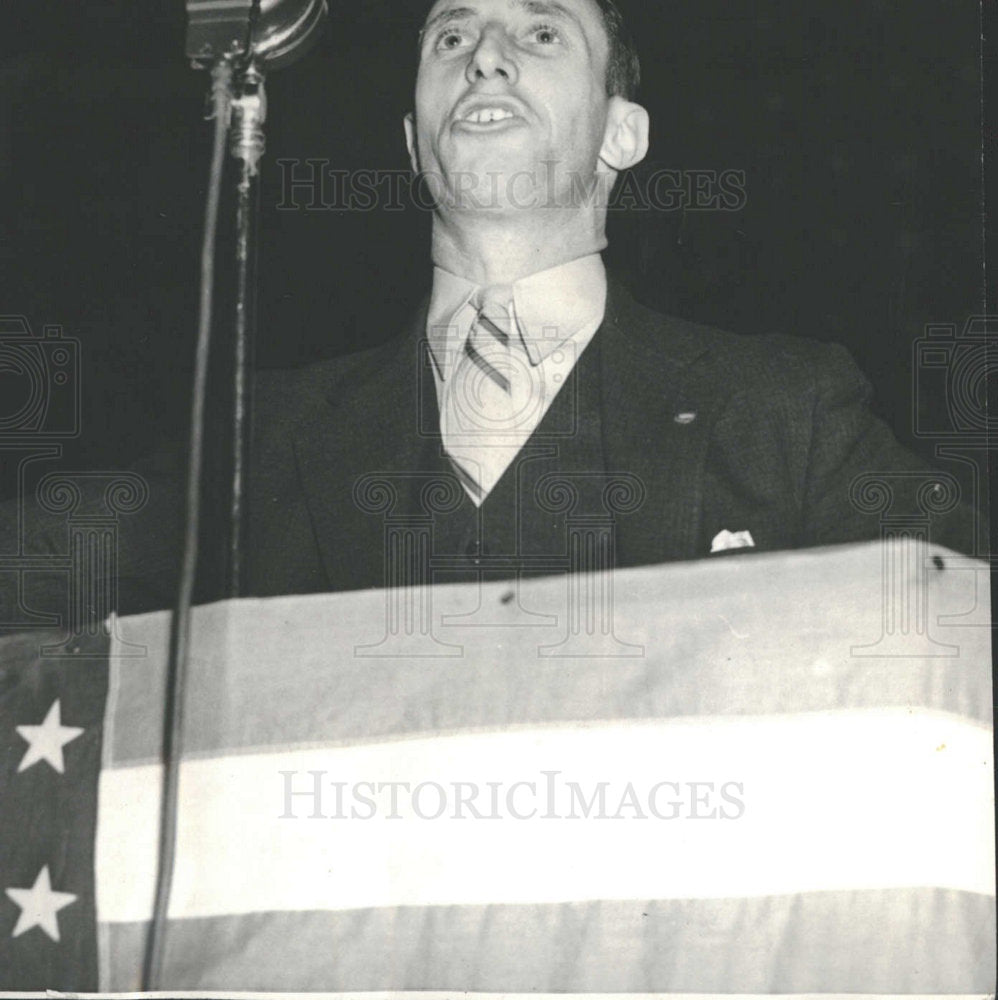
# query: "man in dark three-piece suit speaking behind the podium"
530 389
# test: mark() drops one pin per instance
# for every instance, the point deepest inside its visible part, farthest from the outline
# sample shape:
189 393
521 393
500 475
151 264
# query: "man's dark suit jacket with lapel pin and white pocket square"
766 434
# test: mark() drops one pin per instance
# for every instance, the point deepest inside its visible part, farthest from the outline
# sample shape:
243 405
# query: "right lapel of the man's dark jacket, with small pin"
657 413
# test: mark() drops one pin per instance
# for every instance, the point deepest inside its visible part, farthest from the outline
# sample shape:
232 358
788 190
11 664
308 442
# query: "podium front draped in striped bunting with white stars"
753 774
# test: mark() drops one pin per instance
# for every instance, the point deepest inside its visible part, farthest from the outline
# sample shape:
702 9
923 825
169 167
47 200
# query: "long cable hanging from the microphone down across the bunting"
173 715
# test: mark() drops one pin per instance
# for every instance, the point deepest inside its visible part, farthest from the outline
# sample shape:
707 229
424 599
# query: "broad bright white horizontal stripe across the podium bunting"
832 801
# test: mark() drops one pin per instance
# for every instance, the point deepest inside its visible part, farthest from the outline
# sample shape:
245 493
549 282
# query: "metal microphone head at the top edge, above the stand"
274 33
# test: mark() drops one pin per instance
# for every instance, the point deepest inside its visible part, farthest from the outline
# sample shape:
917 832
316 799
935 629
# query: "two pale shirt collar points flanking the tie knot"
549 307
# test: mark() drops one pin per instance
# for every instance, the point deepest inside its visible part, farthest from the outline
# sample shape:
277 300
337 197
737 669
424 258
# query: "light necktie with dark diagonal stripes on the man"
490 398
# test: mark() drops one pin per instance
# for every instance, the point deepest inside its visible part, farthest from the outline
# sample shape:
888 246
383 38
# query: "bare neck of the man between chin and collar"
497 251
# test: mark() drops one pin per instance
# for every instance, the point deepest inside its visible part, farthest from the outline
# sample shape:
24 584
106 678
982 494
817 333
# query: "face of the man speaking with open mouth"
506 89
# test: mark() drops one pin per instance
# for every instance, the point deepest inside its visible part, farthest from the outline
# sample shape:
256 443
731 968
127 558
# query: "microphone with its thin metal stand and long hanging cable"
235 38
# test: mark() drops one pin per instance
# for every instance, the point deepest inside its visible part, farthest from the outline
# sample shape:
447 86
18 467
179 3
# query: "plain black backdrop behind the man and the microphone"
857 127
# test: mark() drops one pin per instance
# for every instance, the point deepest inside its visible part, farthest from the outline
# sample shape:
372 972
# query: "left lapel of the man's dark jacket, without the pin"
357 454
